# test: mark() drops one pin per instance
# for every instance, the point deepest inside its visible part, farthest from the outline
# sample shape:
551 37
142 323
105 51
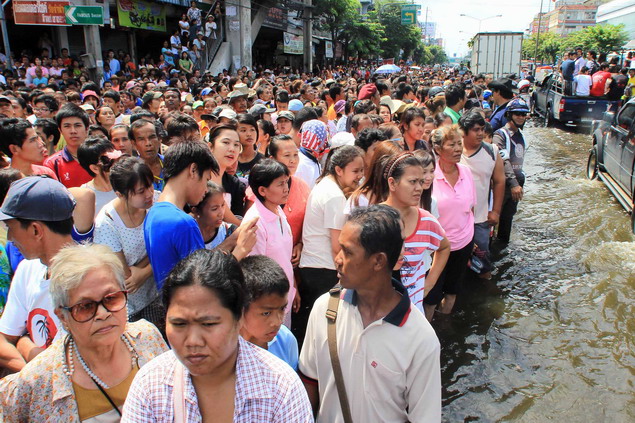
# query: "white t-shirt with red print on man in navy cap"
29 308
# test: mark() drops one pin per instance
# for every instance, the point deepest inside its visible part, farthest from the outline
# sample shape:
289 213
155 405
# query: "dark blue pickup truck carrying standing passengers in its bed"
551 104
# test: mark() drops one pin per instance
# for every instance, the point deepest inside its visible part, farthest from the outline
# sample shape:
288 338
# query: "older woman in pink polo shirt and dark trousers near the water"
455 193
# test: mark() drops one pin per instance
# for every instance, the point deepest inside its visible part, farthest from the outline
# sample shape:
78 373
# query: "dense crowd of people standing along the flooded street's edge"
267 246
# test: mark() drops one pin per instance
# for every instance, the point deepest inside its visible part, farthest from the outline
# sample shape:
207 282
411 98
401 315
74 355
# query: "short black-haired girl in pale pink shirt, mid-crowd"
269 181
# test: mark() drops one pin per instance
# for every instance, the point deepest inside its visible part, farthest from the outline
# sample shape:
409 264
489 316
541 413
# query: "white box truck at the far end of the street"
497 53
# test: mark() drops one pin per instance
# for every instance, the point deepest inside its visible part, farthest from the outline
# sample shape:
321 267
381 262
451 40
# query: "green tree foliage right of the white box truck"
601 38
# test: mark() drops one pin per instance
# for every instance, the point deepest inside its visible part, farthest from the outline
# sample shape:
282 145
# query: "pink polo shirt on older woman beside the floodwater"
455 205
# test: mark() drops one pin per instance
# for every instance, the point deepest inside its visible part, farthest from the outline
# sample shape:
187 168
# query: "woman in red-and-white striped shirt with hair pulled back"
426 249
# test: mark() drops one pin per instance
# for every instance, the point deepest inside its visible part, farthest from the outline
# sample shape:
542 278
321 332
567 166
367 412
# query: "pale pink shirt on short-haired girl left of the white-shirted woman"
274 240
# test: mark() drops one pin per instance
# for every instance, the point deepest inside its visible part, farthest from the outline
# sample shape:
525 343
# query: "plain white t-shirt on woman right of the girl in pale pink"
324 211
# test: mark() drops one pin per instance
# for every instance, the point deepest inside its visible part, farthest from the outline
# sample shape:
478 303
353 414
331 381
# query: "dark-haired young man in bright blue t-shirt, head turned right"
170 233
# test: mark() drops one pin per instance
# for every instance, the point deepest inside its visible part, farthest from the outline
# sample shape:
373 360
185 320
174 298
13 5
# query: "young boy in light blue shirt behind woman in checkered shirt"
267 288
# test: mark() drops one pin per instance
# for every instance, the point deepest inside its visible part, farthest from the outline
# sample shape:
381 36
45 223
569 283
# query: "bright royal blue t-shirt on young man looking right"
170 235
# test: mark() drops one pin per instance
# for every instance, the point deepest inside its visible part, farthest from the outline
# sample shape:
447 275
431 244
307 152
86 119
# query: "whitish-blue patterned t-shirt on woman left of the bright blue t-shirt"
111 231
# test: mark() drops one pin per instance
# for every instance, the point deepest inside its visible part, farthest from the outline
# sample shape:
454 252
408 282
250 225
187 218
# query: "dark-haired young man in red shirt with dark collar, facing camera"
73 123
